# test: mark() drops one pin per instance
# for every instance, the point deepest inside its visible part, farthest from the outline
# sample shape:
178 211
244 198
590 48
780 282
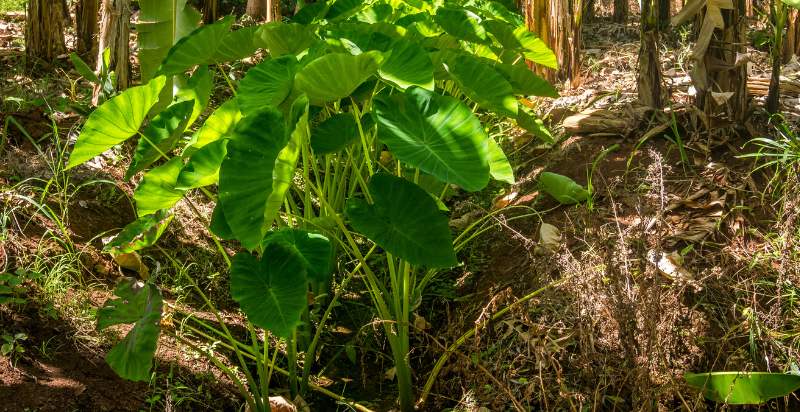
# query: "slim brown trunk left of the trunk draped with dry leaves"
649 76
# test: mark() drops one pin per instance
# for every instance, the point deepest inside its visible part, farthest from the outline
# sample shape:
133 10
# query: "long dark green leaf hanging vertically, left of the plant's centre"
247 173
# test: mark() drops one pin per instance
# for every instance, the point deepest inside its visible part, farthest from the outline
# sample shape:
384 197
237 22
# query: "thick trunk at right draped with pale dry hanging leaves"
720 70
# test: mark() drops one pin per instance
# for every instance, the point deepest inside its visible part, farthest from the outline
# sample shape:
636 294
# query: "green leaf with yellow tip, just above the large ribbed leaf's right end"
483 85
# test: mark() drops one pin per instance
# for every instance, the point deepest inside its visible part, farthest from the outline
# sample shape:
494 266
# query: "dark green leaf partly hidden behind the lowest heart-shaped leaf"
313 248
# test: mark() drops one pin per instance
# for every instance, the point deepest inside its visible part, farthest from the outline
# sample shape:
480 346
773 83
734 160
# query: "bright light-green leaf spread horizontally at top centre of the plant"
335 76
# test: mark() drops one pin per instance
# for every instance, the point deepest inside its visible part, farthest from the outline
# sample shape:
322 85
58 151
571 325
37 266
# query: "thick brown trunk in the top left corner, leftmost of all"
44 31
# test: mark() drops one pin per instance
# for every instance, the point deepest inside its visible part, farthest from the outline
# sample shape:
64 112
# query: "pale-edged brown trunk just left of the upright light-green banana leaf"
115 35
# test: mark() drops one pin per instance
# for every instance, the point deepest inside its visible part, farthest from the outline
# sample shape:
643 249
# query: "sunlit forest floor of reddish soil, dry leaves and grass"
683 262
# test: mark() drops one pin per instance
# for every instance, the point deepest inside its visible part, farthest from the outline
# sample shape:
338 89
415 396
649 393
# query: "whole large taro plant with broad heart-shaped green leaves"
341 145
